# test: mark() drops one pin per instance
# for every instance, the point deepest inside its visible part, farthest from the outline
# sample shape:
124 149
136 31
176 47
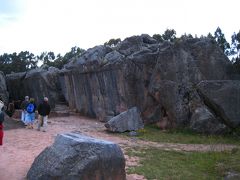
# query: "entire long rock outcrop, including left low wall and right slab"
181 84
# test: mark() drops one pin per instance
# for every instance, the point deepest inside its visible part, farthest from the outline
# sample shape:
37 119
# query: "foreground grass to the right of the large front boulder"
160 164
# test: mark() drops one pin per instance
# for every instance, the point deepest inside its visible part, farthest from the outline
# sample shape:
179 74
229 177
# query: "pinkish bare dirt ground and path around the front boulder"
22 145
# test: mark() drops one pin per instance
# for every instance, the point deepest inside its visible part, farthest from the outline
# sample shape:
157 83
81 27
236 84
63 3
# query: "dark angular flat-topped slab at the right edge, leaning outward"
223 98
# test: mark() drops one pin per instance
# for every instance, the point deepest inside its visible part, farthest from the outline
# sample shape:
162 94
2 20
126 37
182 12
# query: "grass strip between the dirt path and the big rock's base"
153 133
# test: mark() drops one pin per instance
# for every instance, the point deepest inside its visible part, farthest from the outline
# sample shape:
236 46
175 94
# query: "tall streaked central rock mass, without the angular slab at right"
159 78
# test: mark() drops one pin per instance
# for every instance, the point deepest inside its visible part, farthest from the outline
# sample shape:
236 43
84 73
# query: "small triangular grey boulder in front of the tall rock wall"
126 121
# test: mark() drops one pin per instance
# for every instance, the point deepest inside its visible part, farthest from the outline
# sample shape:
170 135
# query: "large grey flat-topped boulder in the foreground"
74 156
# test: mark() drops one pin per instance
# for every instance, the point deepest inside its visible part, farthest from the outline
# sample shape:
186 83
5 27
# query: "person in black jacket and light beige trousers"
43 111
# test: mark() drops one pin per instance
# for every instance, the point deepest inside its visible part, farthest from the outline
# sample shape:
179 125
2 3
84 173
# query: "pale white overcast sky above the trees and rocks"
58 25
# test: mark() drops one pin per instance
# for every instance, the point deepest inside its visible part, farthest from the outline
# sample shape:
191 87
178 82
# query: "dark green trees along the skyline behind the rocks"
24 61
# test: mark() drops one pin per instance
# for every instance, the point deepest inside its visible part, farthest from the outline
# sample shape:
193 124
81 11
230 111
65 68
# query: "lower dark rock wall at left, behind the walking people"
36 83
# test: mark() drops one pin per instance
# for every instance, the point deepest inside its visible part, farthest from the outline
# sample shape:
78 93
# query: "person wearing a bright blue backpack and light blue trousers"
30 113
